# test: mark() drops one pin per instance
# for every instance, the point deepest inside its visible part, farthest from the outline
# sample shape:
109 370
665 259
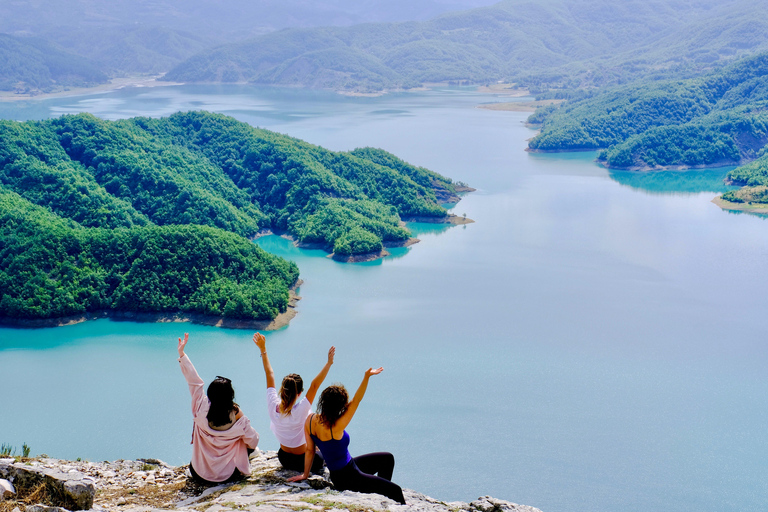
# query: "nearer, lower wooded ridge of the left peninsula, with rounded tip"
52 267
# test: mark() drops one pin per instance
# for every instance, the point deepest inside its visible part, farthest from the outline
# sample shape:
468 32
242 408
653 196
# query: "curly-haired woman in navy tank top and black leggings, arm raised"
371 473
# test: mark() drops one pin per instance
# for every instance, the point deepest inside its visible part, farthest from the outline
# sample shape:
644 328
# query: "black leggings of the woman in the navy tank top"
360 475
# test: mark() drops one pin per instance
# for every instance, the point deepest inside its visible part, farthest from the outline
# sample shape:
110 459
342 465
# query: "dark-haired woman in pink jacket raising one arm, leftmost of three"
222 435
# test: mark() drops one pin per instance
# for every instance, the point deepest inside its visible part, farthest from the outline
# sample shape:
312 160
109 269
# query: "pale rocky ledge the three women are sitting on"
147 485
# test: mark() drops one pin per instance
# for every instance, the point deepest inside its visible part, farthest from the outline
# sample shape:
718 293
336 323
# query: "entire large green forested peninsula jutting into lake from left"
154 215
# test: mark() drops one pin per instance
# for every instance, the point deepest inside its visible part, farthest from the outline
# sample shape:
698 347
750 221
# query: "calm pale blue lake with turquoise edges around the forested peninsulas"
595 342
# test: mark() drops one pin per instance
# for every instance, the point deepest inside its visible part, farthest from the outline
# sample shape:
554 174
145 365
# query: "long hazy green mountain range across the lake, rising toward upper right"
538 44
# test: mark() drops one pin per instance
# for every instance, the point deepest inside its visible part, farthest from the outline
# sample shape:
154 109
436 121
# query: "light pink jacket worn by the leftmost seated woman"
216 453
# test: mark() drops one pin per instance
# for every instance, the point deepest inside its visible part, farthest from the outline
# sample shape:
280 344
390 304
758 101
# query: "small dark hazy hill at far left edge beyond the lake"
29 64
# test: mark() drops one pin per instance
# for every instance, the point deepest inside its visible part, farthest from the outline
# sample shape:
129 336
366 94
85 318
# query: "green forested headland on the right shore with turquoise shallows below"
713 120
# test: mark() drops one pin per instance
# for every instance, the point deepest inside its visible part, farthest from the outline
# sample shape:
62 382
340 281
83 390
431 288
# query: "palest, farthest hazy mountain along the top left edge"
225 20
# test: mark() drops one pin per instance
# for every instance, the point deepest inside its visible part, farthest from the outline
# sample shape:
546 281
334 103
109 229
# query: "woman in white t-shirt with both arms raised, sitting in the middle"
287 414
